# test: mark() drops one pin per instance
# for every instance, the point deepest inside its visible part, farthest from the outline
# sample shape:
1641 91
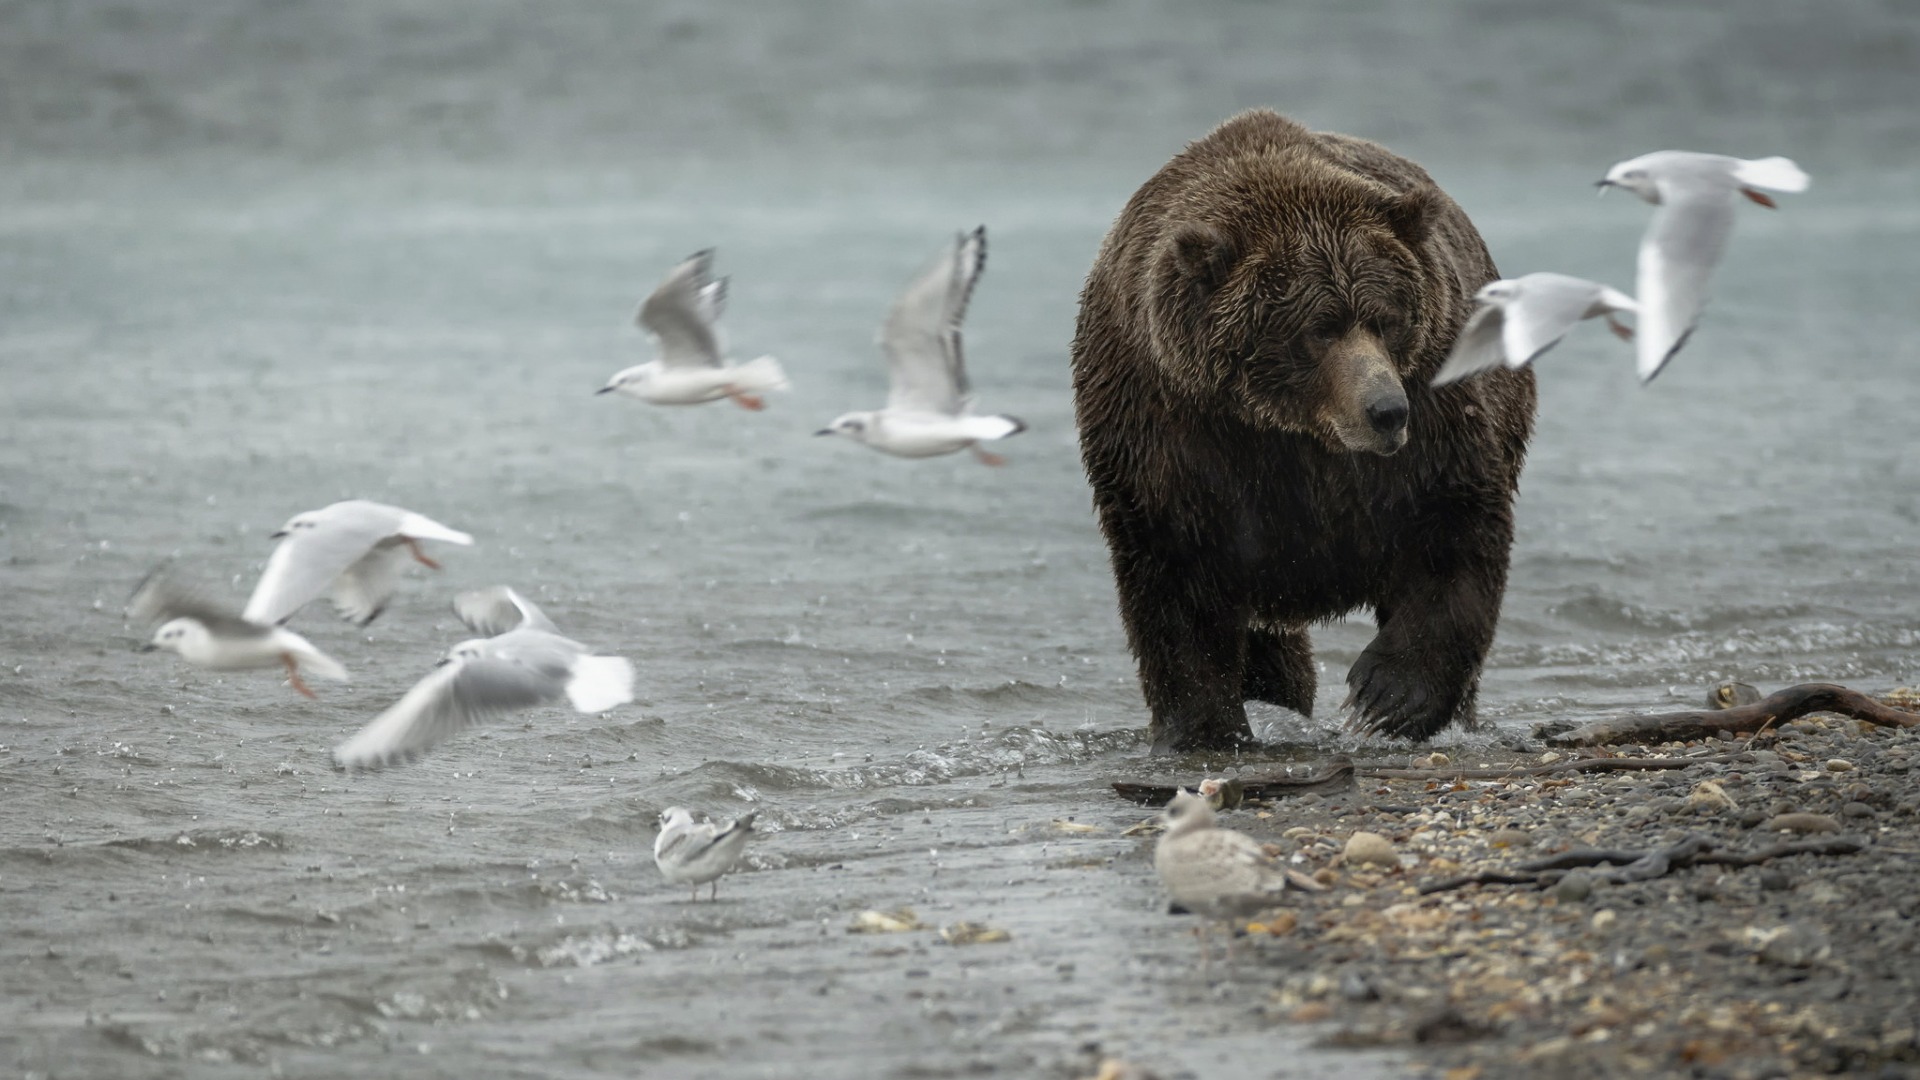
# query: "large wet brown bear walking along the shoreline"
1251 378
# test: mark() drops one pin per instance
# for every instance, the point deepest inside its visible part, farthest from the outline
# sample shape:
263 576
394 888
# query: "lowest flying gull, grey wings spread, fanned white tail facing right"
525 662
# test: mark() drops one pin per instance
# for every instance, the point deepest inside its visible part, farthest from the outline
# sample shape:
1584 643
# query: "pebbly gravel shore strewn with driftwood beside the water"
1798 966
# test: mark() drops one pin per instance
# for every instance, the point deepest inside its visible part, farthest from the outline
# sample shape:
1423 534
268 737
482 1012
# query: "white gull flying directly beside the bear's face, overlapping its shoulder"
1522 318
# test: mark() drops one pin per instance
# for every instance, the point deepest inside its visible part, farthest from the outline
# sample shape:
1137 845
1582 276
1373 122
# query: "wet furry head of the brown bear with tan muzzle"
1301 299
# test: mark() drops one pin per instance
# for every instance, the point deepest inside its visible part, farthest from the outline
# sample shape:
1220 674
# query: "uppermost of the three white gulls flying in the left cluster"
352 552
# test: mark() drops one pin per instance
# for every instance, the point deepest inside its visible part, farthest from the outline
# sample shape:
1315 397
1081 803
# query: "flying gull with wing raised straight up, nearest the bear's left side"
930 405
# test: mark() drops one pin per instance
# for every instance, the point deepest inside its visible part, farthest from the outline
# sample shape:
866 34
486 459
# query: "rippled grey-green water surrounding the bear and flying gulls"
264 255
